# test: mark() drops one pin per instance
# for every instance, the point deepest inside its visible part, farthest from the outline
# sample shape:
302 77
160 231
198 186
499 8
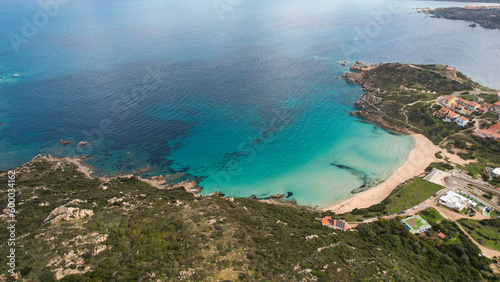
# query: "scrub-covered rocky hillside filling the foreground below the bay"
74 228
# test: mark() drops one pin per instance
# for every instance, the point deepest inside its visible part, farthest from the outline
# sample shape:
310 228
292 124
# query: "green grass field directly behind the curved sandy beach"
411 194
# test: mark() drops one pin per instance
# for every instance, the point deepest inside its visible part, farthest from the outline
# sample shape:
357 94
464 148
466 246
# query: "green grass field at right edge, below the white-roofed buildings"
486 235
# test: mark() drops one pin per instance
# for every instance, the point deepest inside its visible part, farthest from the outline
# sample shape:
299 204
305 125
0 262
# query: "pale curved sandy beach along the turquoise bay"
418 160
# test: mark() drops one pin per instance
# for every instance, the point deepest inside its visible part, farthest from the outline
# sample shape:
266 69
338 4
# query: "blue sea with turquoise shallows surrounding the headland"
247 103
